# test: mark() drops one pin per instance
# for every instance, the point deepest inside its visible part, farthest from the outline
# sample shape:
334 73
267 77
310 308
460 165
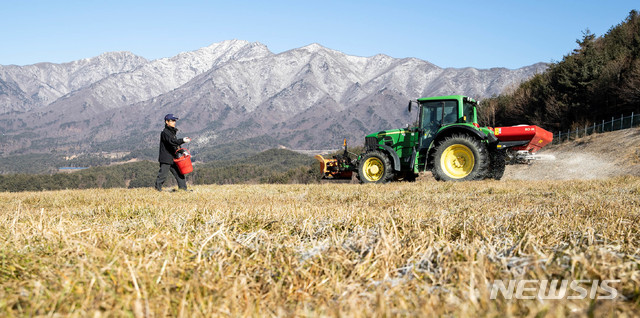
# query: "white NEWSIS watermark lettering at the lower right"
543 289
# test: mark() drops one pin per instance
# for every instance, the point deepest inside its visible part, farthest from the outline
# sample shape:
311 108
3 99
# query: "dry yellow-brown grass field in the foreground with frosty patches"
401 249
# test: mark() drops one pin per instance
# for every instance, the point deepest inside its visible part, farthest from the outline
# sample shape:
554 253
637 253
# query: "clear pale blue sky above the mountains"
480 34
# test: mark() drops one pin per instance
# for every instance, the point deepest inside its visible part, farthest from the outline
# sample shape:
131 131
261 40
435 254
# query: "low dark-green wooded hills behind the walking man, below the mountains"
271 166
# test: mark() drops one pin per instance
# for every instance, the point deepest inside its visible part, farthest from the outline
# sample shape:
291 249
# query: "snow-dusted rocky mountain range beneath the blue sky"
309 97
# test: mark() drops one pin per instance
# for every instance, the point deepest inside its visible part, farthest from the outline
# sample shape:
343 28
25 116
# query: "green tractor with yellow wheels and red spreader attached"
446 141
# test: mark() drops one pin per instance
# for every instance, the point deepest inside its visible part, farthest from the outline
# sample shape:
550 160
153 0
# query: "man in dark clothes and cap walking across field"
169 144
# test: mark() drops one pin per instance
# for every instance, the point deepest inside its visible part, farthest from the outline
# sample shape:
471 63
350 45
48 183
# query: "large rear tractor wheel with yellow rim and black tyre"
460 158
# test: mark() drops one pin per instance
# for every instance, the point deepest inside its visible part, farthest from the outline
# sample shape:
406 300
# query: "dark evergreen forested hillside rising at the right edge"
598 80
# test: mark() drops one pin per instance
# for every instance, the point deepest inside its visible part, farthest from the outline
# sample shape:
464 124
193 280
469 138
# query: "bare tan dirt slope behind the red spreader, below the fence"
593 157
